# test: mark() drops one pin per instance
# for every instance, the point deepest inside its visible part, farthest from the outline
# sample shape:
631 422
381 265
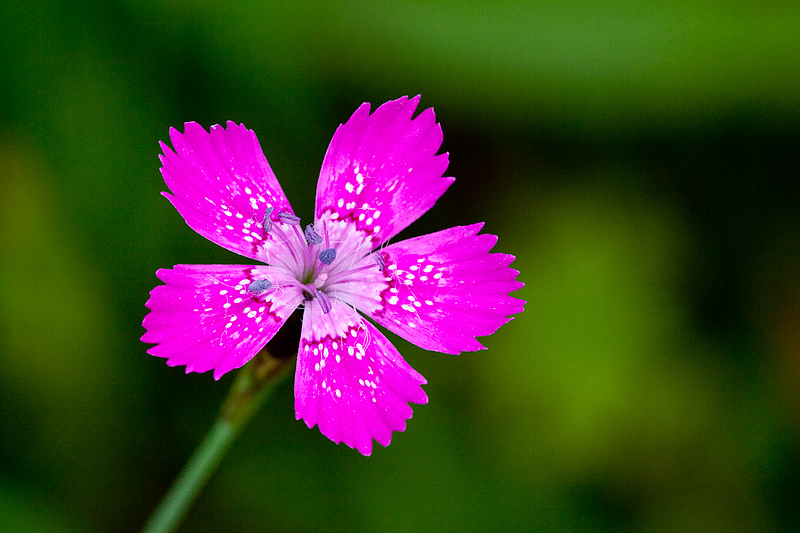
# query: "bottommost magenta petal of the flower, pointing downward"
350 380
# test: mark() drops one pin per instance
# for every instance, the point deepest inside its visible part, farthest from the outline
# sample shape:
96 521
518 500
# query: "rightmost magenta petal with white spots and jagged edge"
444 289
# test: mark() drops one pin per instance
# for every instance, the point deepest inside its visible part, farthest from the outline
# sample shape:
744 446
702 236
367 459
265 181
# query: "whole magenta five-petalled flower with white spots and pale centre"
380 173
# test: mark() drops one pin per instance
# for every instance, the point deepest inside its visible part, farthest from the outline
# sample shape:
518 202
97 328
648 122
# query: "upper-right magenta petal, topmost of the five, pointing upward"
381 170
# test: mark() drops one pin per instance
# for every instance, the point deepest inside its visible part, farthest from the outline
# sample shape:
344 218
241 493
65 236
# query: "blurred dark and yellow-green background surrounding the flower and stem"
640 158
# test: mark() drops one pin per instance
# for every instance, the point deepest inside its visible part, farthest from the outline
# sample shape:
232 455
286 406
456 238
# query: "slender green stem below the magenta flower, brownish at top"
253 384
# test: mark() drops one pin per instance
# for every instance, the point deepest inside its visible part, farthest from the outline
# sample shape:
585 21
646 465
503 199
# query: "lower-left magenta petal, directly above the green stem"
205 317
